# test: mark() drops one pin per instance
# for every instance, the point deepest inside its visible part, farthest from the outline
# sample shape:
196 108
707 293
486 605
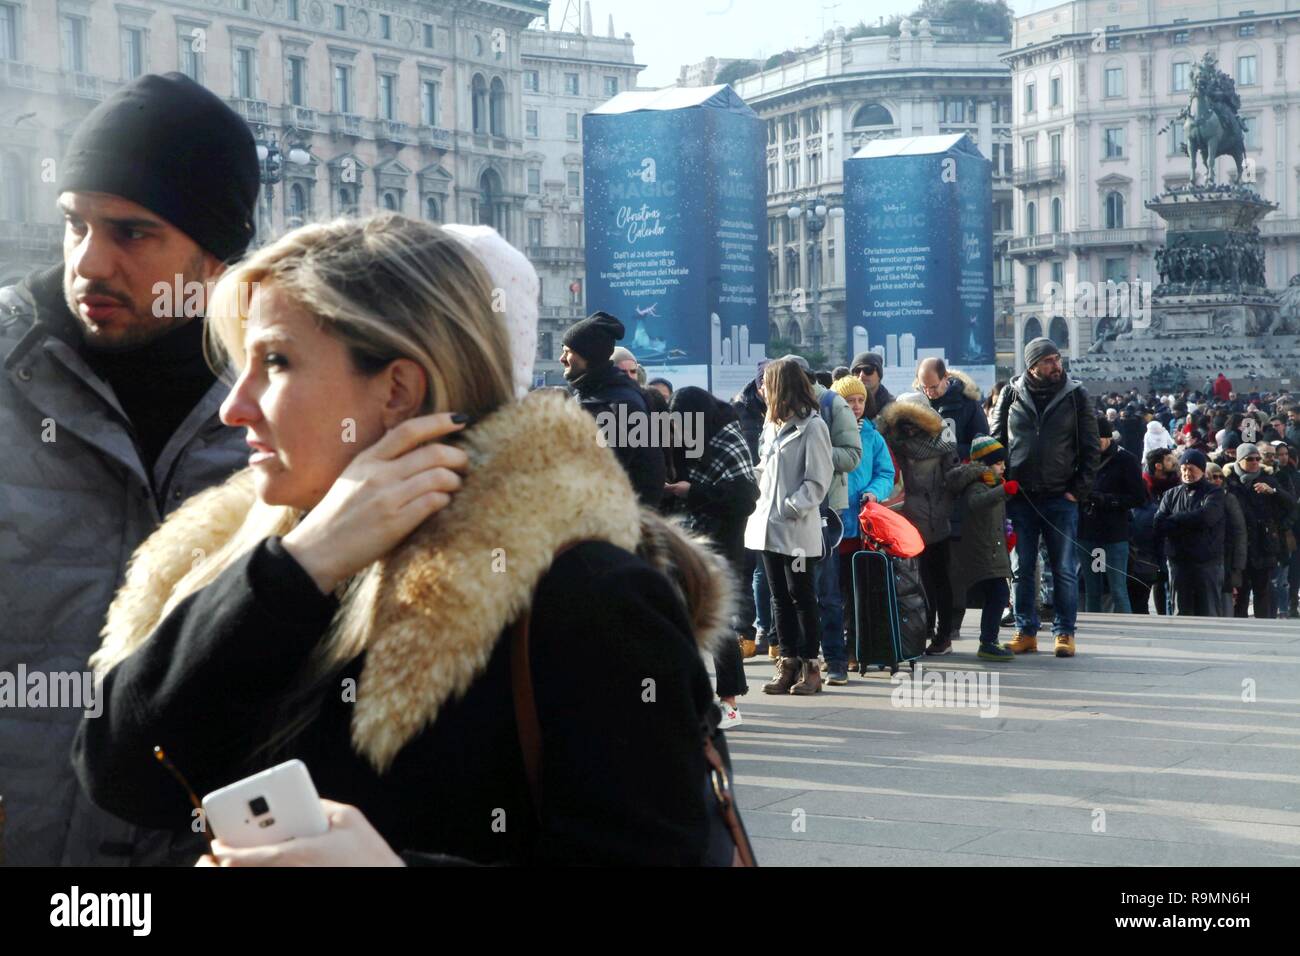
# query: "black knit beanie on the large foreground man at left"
176 149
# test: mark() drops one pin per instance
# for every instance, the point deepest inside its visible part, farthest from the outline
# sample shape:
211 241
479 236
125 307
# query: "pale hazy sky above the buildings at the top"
673 33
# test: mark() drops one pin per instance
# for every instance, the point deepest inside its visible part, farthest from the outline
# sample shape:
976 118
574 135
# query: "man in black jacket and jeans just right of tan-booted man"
1104 522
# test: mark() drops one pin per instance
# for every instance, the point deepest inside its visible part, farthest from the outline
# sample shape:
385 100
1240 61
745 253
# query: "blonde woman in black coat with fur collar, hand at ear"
349 598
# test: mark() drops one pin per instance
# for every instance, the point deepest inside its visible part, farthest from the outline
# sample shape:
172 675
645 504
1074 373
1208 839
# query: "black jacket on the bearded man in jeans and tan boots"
1054 451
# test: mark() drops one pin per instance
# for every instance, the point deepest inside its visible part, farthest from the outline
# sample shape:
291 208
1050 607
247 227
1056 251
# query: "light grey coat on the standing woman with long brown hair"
794 477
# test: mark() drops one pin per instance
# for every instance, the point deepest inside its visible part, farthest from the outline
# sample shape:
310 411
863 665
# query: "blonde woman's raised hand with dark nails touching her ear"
384 495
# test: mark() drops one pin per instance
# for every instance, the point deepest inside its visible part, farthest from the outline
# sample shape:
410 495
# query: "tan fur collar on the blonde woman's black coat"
431 613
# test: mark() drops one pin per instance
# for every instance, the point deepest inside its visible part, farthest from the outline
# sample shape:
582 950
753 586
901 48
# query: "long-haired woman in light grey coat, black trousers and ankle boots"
795 474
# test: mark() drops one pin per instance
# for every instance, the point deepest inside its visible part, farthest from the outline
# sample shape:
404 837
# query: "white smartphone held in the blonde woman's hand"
271 807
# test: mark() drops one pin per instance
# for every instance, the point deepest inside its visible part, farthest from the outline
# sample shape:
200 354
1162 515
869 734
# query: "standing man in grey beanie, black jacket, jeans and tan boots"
1047 426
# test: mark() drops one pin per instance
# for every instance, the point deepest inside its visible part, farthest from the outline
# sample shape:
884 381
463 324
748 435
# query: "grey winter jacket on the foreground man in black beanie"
75 504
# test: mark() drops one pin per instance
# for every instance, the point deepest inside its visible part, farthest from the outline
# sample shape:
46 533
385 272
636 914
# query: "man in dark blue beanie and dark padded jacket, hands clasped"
1190 525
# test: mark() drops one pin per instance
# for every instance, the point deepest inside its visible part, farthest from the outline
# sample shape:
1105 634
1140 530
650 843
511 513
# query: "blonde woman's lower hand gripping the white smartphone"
350 842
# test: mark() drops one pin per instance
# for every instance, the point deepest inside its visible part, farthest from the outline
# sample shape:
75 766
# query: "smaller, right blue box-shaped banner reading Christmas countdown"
920 269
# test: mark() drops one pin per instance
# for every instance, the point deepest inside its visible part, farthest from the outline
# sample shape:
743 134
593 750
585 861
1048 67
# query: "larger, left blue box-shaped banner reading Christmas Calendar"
677 211
